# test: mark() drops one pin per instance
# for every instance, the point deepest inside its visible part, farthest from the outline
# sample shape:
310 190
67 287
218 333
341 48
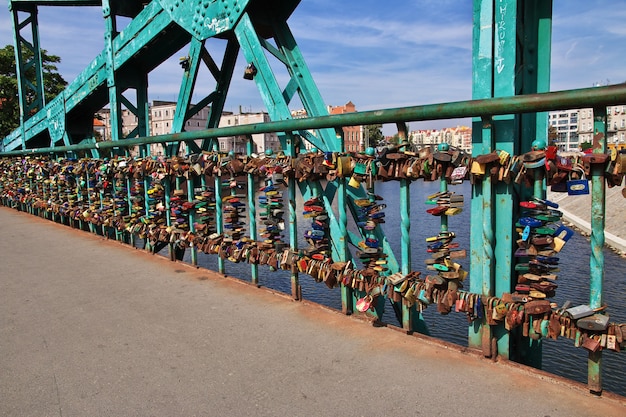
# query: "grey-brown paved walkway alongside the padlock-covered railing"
90 327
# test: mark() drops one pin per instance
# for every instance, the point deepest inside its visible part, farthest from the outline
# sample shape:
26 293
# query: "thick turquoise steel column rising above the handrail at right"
511 57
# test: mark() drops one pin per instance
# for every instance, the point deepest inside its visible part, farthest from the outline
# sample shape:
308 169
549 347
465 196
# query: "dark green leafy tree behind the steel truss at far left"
9 101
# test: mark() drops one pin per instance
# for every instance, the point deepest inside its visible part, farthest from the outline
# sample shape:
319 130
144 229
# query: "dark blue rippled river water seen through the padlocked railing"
560 357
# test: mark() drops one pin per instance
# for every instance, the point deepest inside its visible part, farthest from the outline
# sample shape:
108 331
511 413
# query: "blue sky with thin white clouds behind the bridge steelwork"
378 55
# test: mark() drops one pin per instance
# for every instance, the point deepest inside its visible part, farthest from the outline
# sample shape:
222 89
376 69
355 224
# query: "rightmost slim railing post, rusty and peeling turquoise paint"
596 281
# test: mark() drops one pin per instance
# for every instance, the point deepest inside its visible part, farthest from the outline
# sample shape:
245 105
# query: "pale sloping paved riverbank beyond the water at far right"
577 212
